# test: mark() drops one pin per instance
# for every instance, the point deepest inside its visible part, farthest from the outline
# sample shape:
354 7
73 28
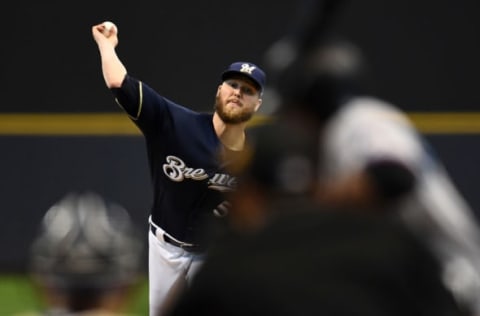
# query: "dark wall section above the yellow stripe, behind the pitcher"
424 54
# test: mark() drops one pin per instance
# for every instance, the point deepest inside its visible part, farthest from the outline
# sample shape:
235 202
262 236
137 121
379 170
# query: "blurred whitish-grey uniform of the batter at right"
367 129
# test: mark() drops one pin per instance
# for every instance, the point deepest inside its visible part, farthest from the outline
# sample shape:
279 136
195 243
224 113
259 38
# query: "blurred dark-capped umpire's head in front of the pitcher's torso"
277 167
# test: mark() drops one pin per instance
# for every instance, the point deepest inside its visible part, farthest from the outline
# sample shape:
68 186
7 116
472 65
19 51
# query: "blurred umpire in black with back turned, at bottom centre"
294 257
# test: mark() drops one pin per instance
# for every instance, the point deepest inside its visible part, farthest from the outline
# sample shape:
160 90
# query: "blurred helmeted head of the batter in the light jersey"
323 78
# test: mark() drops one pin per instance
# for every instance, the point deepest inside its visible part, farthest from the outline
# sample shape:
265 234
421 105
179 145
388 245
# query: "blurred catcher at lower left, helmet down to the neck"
86 258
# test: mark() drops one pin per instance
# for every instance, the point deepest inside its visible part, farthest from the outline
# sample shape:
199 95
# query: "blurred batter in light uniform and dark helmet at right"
373 157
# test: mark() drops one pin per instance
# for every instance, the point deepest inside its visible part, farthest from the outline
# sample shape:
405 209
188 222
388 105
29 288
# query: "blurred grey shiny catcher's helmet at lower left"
86 242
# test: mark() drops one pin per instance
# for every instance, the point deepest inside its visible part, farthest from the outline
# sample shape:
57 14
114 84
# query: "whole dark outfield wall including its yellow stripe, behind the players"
424 57
